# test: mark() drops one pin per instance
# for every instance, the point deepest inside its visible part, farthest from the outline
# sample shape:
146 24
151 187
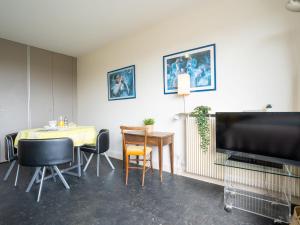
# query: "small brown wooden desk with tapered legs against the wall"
158 139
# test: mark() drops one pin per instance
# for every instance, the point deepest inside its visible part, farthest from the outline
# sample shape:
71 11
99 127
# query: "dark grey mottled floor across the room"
106 200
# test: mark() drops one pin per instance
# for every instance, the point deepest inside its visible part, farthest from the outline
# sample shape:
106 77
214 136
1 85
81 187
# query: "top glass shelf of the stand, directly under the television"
224 160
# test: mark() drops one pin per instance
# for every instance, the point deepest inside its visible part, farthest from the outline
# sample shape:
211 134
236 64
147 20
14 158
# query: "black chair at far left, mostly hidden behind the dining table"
10 152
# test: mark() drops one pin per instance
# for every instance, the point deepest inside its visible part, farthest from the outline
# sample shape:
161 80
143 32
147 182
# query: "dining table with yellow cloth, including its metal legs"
80 135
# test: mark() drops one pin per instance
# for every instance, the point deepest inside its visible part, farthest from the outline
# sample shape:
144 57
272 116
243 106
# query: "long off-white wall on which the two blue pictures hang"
255 63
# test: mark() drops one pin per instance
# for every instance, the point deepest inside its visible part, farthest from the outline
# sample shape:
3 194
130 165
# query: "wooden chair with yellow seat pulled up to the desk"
134 148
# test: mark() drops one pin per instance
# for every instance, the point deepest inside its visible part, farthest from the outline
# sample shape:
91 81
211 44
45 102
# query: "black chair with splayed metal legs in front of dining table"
42 153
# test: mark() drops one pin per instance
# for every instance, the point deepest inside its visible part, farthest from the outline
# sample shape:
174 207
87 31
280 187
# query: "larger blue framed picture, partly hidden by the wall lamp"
199 63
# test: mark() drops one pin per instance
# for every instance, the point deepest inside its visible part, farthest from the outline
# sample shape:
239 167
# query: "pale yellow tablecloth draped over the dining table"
81 135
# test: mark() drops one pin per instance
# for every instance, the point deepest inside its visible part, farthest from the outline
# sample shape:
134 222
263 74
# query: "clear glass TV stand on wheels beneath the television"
260 189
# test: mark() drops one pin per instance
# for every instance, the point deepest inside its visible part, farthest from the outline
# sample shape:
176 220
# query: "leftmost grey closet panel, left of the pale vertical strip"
13 89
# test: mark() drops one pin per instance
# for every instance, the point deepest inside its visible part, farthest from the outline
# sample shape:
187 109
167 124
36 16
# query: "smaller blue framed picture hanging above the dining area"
121 83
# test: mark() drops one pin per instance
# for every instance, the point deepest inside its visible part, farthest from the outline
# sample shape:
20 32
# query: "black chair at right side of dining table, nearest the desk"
101 147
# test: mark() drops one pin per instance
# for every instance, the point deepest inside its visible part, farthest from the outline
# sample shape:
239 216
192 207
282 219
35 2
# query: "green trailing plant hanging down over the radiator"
201 115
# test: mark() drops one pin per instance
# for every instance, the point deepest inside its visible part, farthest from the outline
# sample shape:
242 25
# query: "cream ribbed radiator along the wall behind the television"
202 163
